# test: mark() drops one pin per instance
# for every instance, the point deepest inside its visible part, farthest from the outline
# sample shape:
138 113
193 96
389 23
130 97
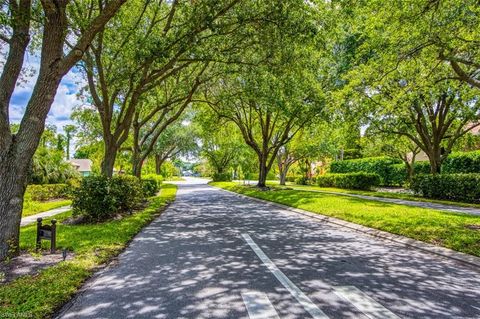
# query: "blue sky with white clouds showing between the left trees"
65 99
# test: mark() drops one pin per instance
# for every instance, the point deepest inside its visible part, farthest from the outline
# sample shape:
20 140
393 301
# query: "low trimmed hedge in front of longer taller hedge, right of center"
363 181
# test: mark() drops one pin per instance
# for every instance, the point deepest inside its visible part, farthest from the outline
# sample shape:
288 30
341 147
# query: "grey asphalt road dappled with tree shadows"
215 255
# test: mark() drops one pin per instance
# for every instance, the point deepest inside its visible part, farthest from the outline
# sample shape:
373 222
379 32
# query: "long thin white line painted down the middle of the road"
303 299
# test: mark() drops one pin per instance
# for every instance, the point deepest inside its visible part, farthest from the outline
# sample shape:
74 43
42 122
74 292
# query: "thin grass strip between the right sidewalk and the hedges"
372 193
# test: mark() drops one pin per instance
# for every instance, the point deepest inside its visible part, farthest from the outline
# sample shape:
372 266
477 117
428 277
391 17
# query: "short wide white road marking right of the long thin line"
360 300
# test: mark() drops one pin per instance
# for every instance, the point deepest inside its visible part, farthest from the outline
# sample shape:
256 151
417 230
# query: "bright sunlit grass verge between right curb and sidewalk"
440 228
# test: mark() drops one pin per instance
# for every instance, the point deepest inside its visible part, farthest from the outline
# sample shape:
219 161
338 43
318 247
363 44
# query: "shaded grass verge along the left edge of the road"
95 244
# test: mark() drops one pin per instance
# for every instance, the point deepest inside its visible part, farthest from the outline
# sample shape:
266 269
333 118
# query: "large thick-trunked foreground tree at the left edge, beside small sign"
17 150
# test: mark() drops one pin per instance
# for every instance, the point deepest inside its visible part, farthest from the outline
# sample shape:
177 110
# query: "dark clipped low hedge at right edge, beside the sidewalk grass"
458 187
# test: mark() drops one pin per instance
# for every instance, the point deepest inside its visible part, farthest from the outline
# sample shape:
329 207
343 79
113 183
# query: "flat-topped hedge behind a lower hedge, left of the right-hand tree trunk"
382 166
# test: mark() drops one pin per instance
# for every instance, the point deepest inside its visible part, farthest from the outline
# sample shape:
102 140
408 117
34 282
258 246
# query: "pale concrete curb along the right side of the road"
408 242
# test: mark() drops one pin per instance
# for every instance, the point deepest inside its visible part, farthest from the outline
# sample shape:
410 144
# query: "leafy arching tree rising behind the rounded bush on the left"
178 35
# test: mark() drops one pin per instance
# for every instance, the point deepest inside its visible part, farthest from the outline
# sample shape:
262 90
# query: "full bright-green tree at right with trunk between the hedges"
400 81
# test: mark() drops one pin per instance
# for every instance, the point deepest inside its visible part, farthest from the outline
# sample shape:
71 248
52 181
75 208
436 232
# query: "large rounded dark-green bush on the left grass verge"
99 198
